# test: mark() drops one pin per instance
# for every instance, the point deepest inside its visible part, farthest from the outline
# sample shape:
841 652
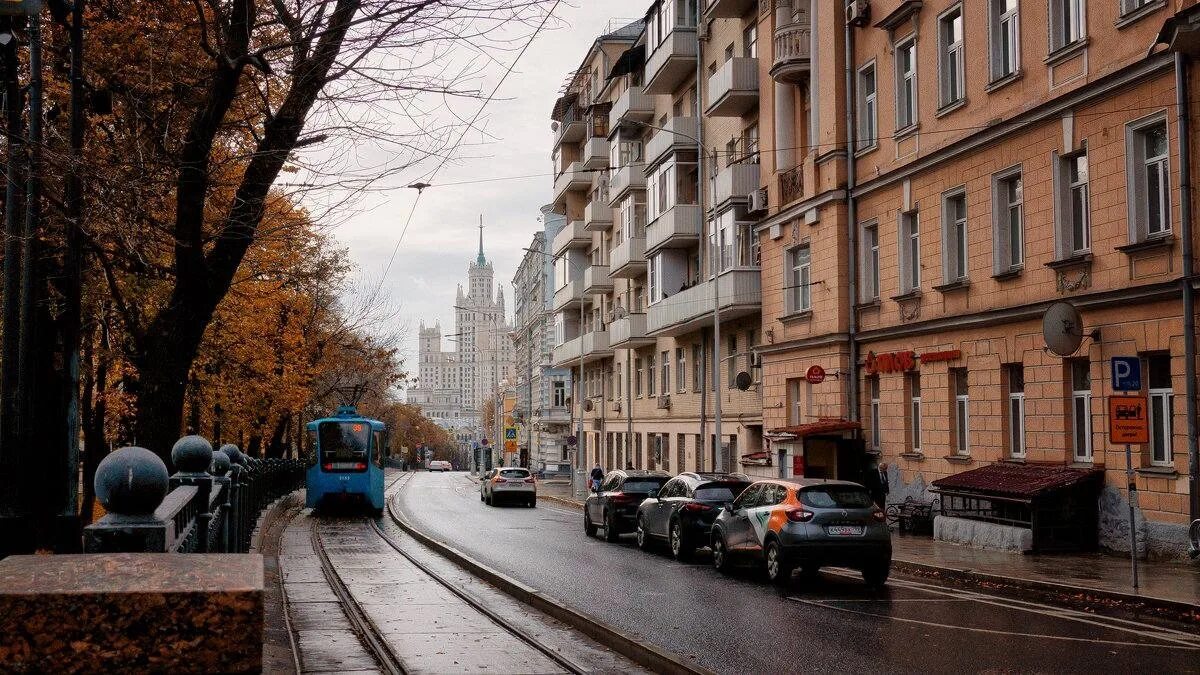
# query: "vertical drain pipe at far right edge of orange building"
1183 100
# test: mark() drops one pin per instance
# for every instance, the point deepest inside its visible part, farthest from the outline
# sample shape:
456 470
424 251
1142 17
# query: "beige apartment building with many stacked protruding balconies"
634 265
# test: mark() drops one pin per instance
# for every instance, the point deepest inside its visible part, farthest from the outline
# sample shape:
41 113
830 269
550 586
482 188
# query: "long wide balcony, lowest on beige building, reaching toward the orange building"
741 295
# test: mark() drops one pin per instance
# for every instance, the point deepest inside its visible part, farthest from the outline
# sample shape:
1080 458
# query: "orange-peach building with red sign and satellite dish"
981 190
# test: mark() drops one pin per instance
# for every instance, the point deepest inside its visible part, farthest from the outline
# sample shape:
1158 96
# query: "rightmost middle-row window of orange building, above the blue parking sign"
1149 178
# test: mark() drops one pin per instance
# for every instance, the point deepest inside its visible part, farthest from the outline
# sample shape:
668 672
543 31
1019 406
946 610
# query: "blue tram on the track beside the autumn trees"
346 461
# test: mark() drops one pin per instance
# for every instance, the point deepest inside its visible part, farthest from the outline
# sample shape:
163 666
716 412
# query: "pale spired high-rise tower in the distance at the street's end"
453 385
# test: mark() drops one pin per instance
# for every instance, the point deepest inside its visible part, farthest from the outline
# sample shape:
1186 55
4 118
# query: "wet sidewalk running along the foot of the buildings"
1175 584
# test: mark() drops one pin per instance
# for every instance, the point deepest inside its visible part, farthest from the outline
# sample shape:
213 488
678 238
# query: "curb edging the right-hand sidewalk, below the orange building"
1084 596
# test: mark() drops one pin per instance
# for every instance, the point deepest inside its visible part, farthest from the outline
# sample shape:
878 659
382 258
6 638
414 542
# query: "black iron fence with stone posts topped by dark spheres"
212 505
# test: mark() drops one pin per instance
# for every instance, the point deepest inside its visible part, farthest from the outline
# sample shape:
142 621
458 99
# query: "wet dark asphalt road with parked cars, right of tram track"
743 625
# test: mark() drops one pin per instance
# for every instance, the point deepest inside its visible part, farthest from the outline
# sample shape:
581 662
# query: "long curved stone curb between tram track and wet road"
644 654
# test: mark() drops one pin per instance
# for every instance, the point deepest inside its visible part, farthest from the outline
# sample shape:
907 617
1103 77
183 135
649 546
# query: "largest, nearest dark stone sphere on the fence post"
131 482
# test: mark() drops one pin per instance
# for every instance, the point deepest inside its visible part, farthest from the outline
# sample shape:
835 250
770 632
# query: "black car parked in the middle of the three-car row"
682 513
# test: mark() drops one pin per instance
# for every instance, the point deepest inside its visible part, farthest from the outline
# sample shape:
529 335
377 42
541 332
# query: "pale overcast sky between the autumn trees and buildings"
443 237
